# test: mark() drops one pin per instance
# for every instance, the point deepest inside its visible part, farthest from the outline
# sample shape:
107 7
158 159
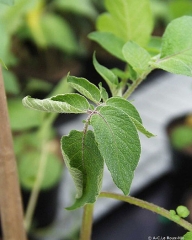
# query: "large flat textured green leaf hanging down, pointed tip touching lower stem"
118 143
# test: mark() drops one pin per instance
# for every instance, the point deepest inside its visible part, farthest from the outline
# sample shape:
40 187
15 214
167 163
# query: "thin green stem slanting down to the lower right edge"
149 206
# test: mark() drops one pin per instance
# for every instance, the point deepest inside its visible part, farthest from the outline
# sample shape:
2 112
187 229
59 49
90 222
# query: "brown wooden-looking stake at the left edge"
10 198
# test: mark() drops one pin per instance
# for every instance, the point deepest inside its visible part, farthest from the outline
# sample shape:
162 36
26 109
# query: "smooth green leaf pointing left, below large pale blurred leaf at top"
109 42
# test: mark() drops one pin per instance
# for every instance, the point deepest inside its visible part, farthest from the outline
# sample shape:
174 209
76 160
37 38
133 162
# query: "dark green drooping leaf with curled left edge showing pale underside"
85 163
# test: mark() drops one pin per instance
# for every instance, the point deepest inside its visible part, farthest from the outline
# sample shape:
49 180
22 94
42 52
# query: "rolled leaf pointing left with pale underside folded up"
65 103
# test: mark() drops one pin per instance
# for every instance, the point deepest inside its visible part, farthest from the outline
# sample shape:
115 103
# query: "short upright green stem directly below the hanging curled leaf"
86 227
